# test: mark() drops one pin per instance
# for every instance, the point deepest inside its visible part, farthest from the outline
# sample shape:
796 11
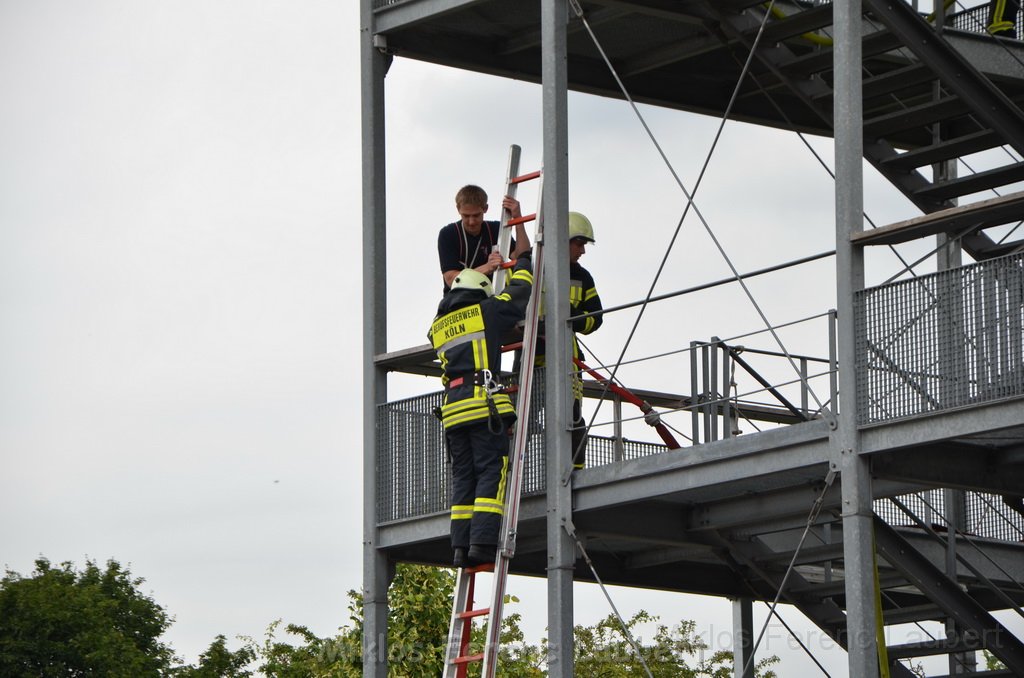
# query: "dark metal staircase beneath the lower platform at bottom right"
913 589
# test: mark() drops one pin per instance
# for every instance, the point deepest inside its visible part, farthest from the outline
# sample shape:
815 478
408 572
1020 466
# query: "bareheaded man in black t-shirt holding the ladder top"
471 242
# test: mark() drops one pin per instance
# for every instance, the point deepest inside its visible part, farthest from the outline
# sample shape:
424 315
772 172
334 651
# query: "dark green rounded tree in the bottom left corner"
59 622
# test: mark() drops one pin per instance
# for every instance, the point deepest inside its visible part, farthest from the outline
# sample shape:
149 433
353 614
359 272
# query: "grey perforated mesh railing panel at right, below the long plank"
941 342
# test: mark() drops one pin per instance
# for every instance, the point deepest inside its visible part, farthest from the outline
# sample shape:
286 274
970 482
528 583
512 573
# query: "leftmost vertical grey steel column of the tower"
376 570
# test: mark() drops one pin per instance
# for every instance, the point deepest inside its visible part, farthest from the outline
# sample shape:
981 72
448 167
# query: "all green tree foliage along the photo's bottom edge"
97 623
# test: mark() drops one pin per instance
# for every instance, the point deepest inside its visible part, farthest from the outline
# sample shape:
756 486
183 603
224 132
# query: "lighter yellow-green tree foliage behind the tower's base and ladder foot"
420 601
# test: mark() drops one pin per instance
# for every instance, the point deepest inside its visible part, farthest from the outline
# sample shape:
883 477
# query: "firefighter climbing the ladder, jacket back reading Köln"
467 335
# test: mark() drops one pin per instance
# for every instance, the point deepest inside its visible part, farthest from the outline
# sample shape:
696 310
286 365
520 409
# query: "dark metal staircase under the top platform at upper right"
924 105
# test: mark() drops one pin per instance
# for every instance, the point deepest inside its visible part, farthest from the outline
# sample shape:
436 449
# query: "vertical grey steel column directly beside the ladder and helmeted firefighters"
562 548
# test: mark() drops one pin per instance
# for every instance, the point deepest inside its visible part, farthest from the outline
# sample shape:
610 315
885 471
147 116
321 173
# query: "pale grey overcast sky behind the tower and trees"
181 285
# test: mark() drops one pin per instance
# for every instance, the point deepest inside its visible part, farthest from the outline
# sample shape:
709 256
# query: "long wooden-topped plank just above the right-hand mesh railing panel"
991 213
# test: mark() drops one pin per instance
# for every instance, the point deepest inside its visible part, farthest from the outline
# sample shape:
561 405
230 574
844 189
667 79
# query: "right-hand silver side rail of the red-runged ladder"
510 518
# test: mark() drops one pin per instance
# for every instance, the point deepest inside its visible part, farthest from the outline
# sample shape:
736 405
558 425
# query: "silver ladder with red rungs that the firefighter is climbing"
457 658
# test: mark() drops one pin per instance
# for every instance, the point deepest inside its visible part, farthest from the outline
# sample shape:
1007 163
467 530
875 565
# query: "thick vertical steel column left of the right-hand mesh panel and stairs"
857 487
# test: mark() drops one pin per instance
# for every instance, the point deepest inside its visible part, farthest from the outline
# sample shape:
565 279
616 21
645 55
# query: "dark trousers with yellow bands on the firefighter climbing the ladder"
480 468
